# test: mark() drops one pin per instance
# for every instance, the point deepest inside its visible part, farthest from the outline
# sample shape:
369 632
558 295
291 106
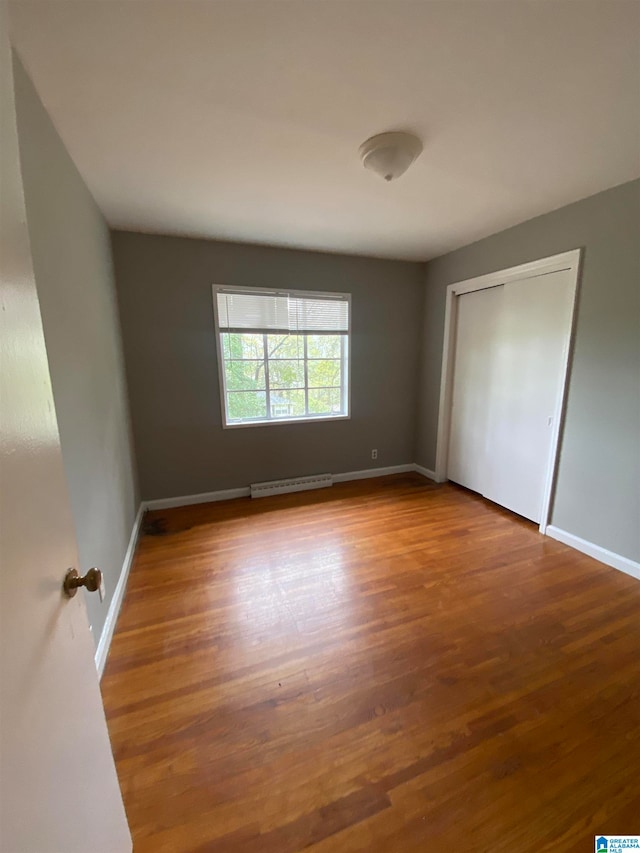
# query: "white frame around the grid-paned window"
302 294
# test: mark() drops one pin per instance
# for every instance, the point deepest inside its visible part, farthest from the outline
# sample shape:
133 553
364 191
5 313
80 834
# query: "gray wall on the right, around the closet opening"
598 487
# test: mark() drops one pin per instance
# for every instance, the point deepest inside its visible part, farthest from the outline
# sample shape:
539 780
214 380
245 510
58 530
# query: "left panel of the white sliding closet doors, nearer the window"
476 328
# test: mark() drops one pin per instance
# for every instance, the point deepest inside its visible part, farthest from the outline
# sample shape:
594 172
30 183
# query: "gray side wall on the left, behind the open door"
72 261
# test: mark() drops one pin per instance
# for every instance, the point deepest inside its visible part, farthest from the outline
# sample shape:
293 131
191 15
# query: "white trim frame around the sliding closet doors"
555 263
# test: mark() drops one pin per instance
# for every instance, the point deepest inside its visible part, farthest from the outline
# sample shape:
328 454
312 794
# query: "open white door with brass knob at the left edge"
58 786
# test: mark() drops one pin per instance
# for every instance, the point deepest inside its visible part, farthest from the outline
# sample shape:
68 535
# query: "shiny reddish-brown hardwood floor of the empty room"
386 665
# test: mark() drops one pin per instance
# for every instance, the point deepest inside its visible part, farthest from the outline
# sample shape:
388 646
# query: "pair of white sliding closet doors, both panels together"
508 372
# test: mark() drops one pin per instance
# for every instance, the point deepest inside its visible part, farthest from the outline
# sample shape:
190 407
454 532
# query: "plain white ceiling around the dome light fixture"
241 120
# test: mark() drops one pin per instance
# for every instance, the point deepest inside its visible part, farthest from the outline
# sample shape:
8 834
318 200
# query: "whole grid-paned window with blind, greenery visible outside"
283 355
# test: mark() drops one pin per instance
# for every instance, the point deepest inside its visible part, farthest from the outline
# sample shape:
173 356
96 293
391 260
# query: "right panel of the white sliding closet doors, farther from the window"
527 367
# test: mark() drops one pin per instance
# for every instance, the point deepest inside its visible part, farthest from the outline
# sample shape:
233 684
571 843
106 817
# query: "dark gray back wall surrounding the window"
164 286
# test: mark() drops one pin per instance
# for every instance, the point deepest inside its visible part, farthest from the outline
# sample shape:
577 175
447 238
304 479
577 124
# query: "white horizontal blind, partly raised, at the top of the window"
282 312
